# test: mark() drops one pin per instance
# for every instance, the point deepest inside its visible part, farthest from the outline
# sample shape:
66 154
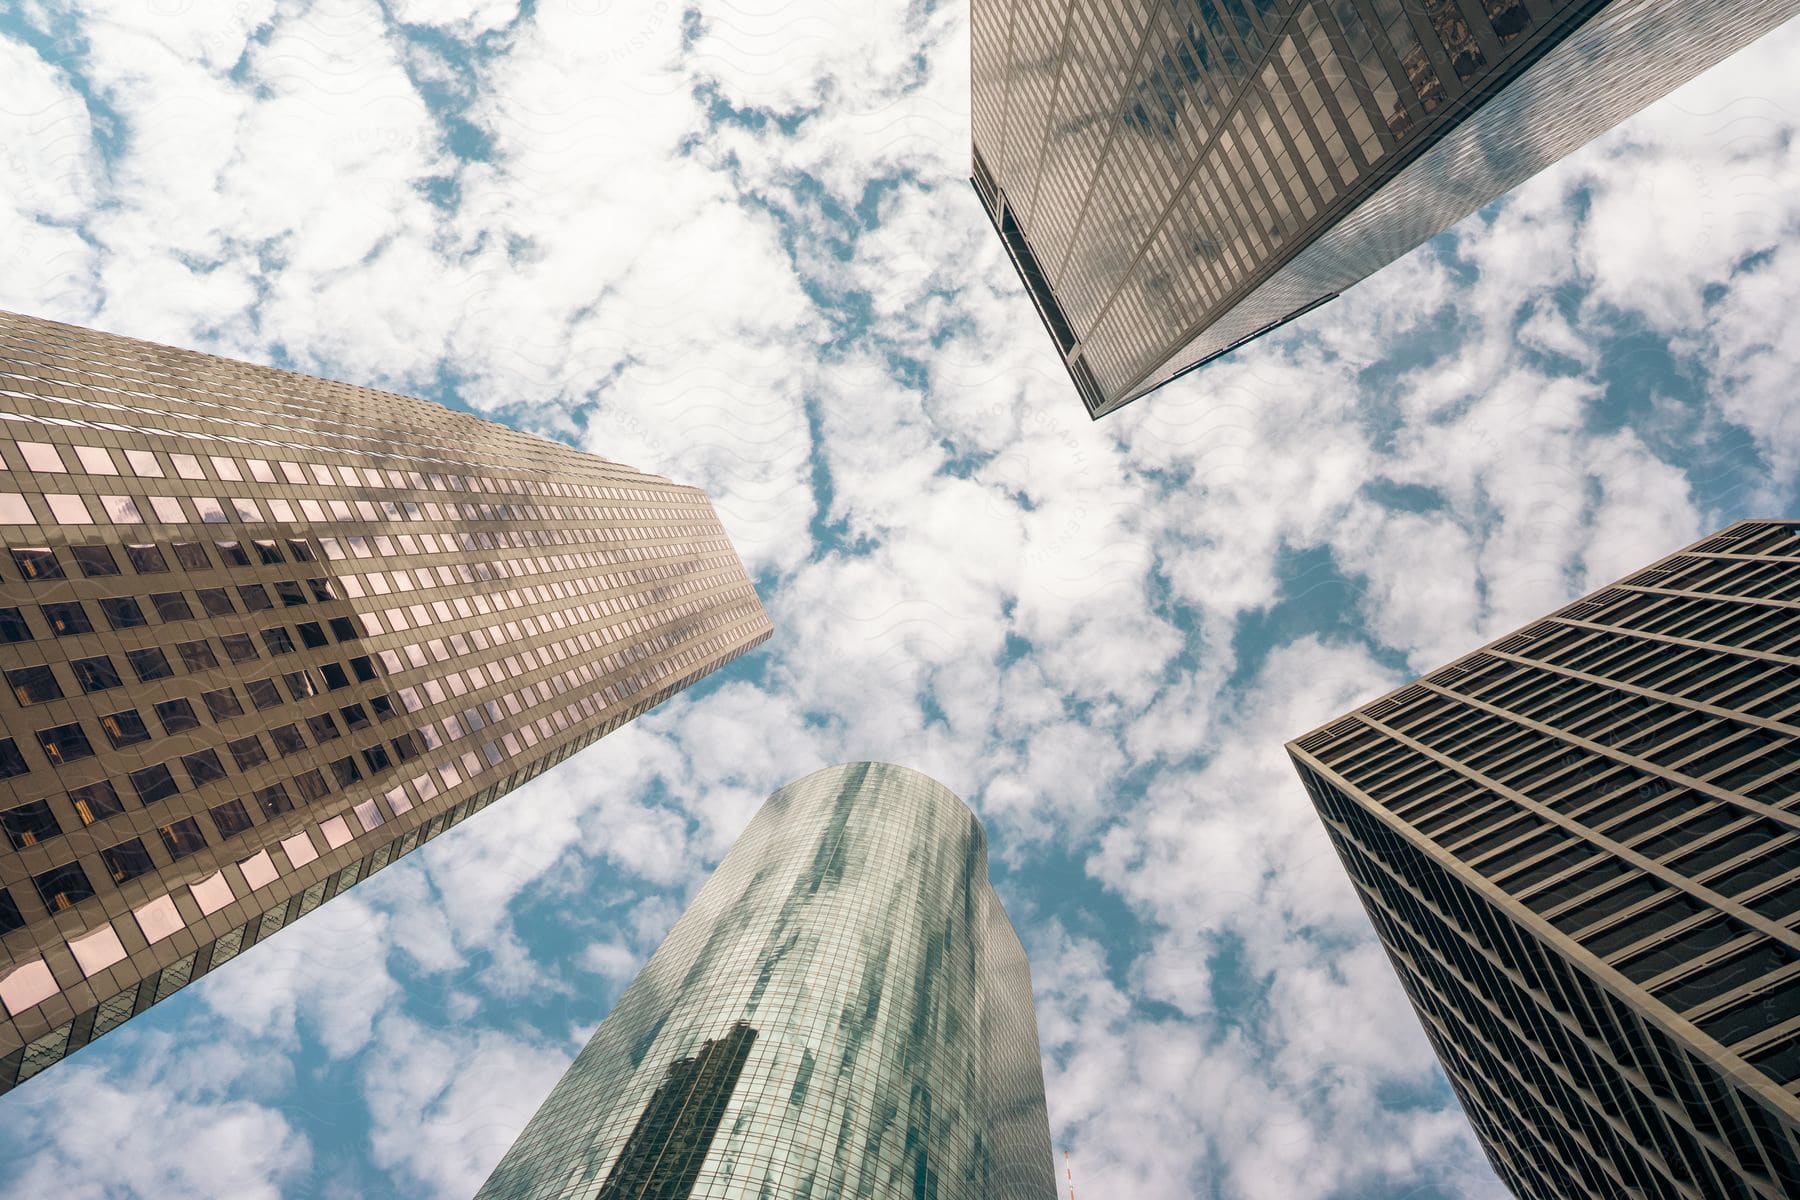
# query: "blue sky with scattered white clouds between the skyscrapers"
735 244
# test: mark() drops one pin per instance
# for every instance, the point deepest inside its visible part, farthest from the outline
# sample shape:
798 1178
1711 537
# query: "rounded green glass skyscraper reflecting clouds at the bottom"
843 1012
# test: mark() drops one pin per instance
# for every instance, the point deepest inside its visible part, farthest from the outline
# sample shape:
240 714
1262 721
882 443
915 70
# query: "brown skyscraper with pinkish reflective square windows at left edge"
265 634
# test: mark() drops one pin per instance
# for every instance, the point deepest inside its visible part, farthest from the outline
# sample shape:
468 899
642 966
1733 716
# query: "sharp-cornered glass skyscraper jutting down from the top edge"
1176 177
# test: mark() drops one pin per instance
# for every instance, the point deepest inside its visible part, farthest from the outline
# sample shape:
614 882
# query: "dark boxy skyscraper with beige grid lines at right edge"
1581 848
